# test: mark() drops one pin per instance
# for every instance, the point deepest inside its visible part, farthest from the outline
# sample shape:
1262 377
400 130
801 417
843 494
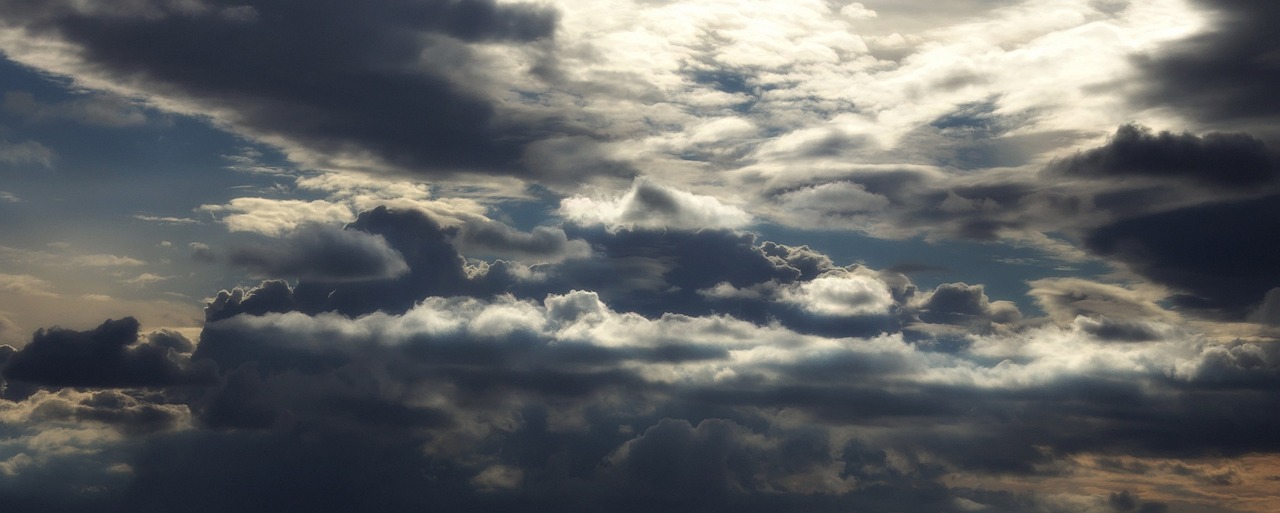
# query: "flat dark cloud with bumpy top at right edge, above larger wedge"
1228 161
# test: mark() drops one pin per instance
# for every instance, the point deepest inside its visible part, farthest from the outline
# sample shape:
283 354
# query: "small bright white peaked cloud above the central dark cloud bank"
650 205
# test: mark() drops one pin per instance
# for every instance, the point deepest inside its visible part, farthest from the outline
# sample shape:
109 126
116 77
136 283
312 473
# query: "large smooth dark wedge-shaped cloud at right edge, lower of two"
1219 256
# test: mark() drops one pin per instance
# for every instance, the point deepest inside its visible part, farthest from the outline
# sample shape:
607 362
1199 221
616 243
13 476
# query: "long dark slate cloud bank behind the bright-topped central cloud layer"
650 272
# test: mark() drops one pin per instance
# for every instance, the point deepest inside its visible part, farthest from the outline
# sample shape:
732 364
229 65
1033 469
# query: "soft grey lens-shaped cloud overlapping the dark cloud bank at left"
322 253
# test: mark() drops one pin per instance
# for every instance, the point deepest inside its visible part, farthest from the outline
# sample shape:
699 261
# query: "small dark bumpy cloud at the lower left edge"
108 356
